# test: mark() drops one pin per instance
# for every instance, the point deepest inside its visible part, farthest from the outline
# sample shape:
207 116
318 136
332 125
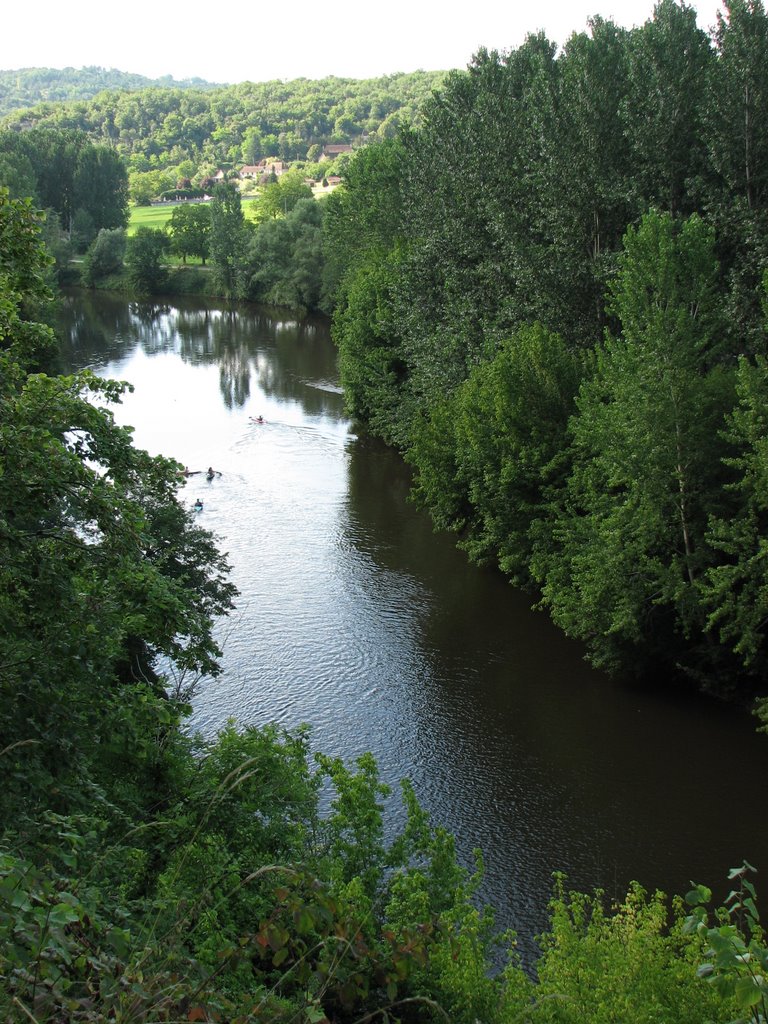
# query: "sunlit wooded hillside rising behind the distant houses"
173 136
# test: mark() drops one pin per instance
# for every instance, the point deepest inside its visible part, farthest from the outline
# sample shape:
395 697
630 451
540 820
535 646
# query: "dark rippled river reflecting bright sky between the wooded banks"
356 618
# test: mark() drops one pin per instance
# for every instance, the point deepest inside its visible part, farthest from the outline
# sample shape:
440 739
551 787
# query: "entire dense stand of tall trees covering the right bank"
551 301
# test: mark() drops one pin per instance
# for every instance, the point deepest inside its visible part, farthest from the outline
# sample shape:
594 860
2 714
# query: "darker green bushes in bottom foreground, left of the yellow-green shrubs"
212 909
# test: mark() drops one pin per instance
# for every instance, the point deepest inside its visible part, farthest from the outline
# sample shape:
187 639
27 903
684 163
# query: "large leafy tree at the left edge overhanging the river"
103 571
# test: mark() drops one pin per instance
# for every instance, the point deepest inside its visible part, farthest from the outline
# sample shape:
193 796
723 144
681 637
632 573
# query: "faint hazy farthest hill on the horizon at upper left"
29 87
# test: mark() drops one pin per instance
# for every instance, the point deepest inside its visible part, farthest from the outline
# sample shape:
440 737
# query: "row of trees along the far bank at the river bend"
274 258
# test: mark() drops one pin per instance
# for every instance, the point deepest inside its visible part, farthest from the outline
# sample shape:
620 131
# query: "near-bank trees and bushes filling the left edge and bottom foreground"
149 876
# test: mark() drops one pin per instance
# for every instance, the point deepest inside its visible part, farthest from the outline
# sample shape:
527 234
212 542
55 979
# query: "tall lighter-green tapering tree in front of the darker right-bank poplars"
646 447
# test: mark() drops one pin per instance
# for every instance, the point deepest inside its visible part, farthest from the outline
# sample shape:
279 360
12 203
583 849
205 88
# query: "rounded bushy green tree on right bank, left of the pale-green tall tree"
504 431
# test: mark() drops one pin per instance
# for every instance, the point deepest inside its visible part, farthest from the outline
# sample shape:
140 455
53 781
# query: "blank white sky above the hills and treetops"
261 40
